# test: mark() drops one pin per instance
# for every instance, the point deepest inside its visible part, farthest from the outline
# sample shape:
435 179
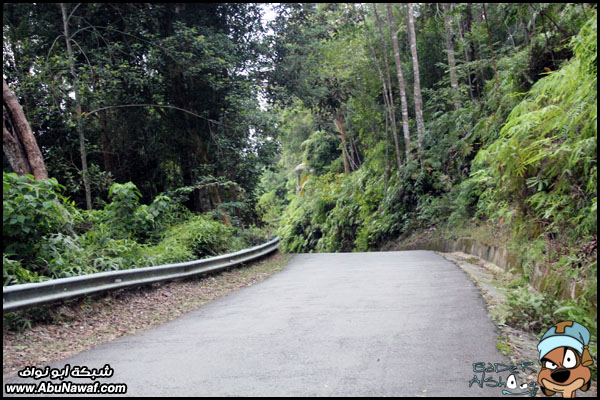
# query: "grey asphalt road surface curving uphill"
347 324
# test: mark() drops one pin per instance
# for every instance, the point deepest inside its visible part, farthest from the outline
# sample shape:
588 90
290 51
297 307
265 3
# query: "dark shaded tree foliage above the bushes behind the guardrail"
196 63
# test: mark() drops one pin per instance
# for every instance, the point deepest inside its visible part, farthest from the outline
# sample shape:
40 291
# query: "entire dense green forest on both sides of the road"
169 132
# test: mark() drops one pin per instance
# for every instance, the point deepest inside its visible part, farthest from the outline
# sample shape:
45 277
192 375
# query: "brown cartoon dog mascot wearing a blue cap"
565 359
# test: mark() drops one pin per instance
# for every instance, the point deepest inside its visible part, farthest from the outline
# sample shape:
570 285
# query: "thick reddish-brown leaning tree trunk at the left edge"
18 142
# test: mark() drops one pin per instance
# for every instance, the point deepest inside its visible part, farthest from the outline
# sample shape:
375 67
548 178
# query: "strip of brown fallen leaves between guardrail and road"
81 324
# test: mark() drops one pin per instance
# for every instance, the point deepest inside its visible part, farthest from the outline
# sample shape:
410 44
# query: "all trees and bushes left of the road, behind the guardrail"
130 141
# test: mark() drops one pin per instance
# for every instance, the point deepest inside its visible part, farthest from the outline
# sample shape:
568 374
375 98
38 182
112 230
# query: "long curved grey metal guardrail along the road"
32 294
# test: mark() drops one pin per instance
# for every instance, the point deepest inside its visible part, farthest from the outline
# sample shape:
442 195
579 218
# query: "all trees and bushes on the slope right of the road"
507 156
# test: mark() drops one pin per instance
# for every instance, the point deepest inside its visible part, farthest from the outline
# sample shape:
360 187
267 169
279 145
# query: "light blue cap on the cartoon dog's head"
575 336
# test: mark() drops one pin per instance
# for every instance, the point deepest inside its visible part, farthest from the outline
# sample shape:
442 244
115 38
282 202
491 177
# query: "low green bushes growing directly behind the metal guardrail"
40 244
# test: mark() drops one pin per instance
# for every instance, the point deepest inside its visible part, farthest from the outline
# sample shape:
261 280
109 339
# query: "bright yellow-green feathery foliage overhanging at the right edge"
543 166
